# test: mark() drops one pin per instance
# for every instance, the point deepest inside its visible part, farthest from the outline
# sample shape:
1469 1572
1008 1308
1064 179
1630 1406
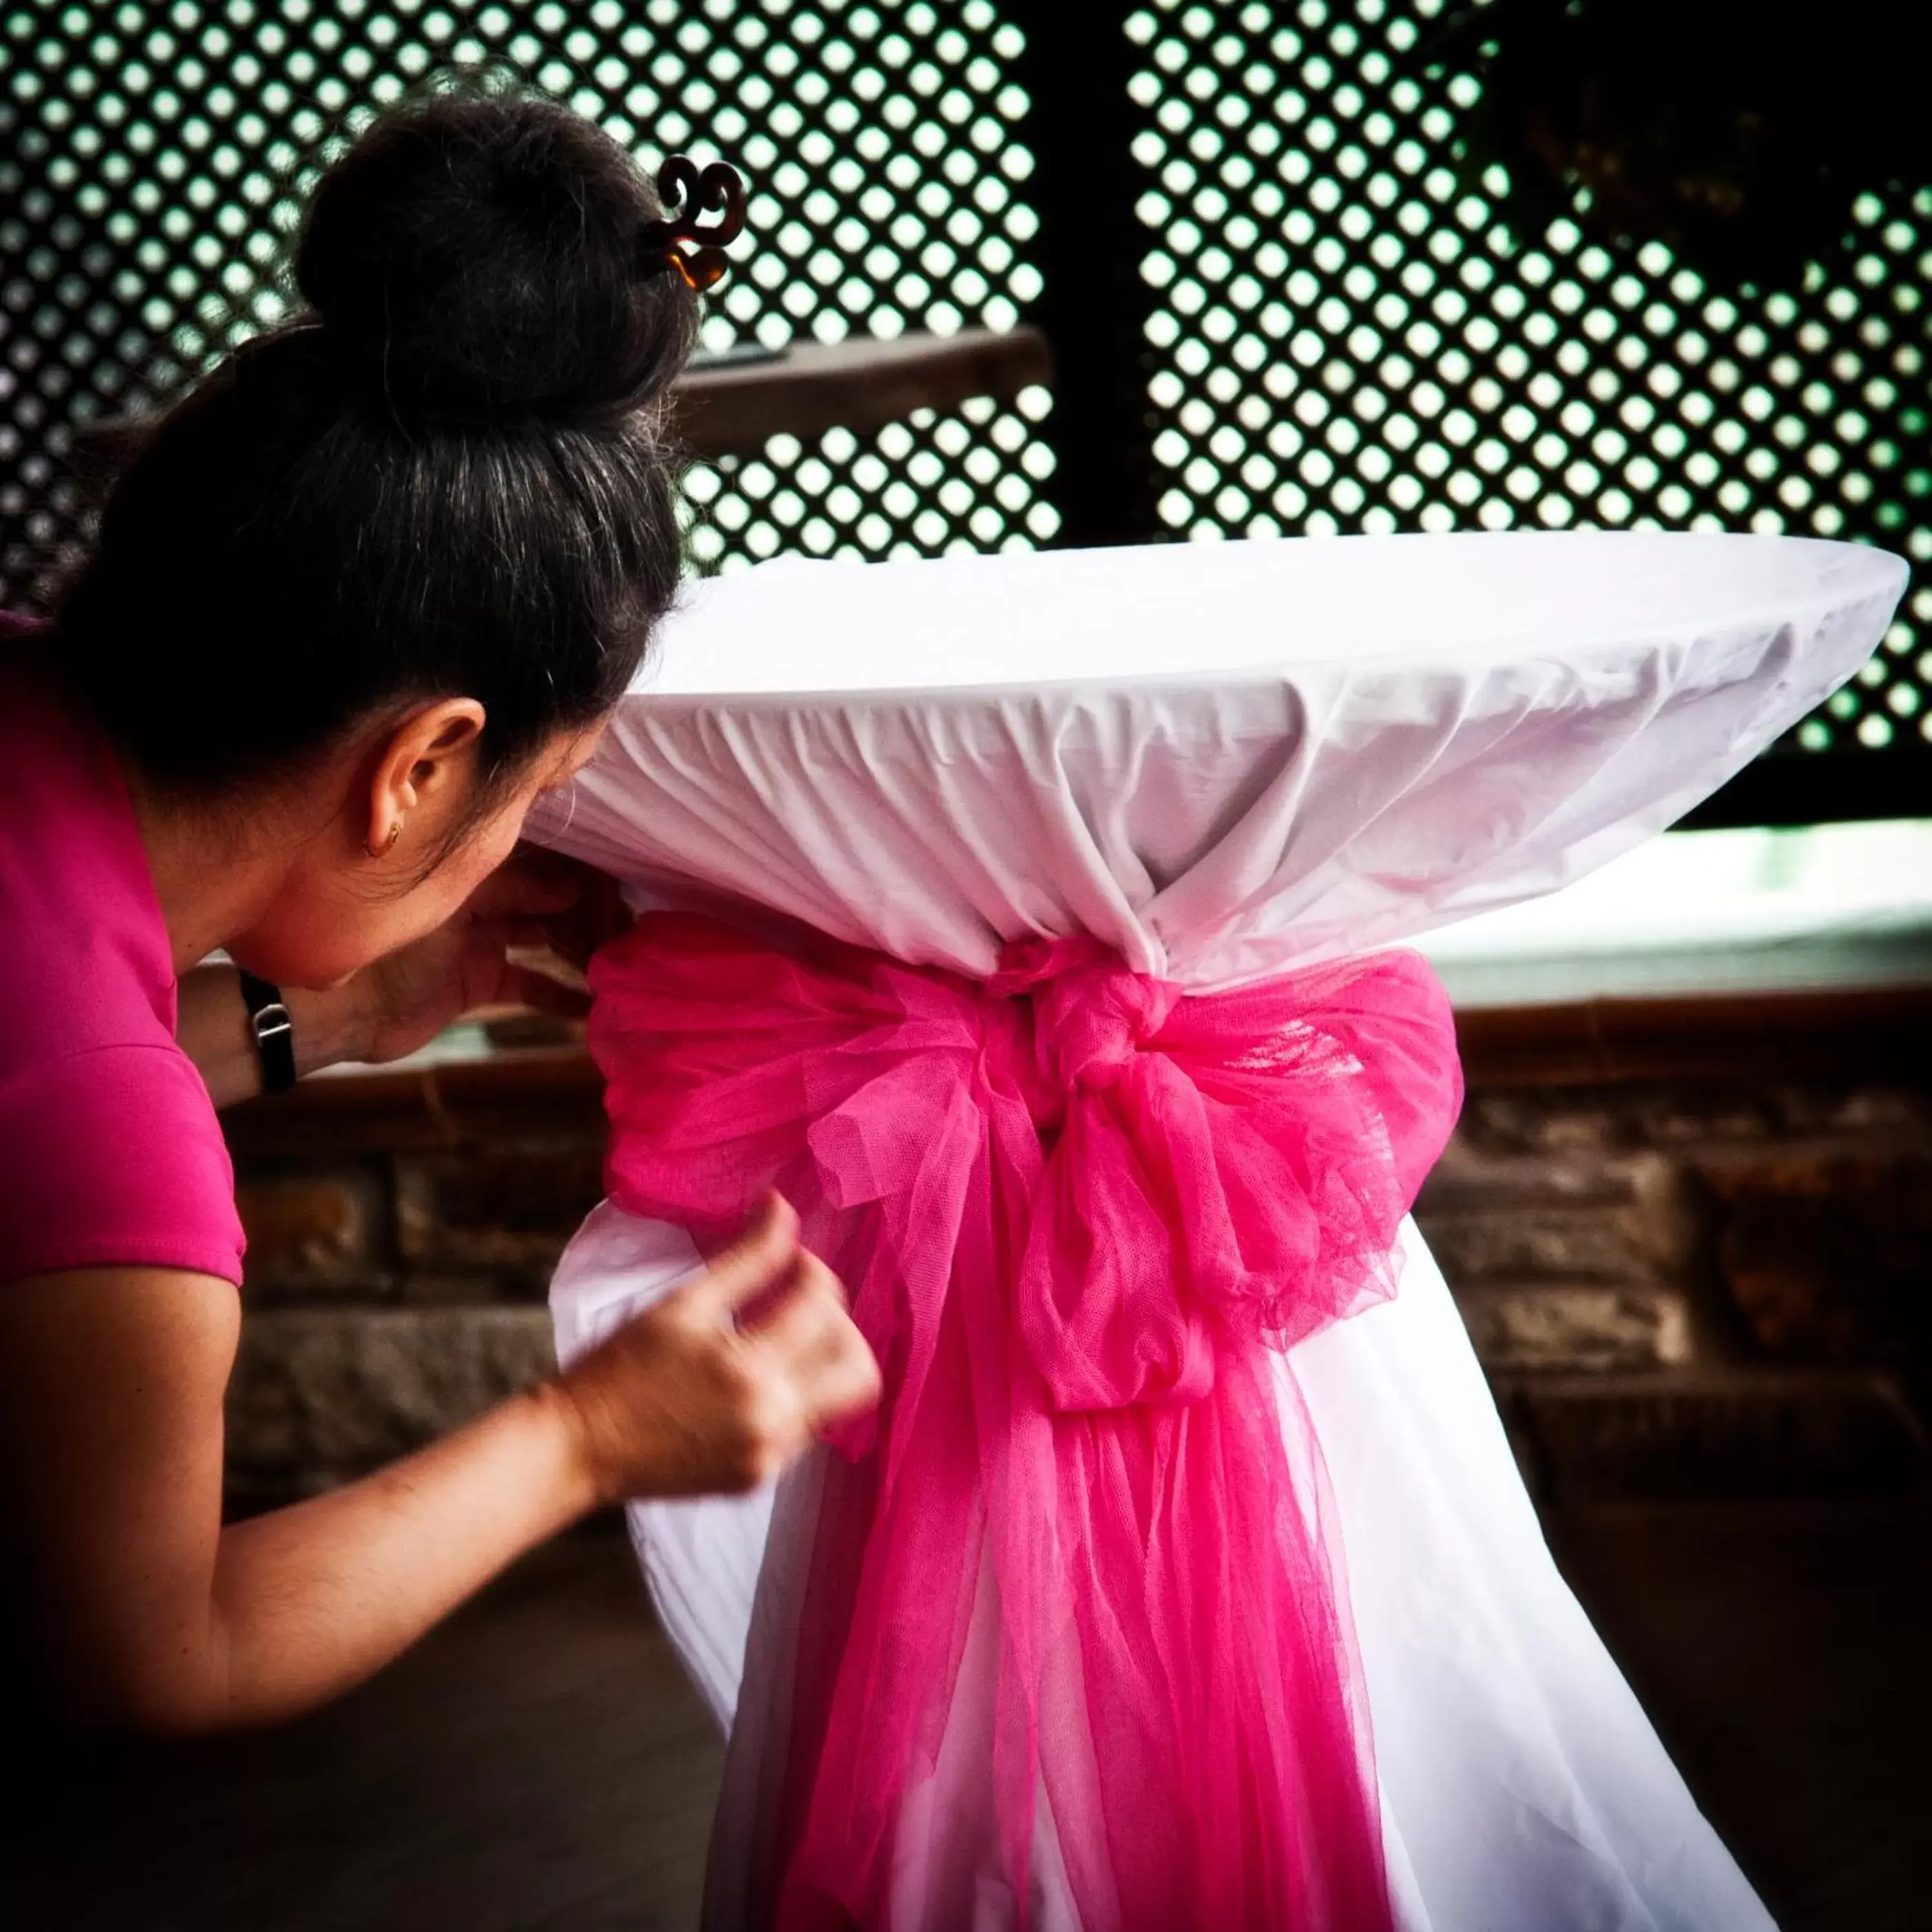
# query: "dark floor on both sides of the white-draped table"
542 1763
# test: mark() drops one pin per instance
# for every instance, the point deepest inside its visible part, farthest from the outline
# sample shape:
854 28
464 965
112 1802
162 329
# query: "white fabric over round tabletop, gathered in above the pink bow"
1224 760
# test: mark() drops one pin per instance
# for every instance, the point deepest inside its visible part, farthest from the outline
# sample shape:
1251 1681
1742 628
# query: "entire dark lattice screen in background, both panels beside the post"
1344 335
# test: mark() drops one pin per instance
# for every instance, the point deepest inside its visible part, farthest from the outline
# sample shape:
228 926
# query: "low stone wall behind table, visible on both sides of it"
1703 1282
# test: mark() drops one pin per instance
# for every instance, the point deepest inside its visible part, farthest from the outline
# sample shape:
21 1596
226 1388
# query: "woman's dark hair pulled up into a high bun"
447 478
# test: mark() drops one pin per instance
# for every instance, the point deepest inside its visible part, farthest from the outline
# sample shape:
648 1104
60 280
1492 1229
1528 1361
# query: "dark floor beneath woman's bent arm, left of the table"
540 1761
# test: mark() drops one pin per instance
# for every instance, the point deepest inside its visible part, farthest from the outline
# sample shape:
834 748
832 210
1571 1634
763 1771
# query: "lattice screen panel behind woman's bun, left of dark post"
154 156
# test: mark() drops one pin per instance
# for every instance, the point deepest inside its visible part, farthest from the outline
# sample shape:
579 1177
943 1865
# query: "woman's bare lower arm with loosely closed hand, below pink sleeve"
156 1614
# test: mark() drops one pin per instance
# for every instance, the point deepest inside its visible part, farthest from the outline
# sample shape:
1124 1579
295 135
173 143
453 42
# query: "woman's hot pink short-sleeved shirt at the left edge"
109 1143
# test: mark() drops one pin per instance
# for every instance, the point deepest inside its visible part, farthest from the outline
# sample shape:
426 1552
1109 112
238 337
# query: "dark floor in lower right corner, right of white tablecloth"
1784 1655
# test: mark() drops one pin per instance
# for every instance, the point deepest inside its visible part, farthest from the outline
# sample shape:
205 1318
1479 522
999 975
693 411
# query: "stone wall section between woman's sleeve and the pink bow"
403 1230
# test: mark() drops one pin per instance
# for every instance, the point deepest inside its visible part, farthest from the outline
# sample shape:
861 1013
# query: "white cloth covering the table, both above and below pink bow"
1230 760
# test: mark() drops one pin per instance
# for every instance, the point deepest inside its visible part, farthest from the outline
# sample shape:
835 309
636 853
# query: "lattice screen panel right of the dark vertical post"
1348 339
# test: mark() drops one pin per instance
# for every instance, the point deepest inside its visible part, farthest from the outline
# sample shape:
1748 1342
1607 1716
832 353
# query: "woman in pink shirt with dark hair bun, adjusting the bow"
353 606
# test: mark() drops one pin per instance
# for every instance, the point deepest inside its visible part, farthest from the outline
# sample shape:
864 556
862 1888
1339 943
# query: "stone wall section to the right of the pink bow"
1699 1288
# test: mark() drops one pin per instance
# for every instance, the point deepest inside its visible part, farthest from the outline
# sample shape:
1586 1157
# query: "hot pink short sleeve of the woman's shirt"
115 1158
